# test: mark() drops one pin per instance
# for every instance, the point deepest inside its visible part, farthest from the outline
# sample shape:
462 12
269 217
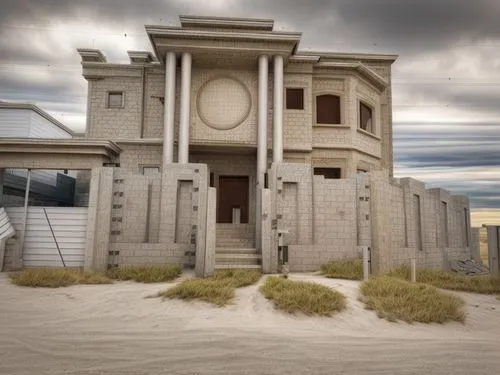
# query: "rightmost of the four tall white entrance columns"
278 110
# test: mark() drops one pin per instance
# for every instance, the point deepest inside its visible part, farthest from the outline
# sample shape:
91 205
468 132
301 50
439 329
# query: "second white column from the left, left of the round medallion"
185 108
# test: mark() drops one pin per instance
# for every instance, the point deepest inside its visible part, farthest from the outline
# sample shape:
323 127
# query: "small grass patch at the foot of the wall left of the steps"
145 274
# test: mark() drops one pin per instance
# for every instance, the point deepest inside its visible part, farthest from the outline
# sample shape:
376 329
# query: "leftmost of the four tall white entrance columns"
168 116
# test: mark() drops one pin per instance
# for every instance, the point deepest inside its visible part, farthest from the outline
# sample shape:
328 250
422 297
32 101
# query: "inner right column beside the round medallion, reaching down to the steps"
261 142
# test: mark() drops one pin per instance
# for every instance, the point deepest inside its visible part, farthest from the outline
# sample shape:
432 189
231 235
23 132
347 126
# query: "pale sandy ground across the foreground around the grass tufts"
113 329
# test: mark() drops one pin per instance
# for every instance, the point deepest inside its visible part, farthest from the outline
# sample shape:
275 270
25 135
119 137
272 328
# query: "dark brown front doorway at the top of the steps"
233 198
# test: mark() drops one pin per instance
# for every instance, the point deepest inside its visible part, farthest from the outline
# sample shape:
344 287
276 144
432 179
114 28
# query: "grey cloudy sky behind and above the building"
446 82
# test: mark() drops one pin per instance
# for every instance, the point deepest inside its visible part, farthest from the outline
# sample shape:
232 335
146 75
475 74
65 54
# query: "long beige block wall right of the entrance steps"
397 219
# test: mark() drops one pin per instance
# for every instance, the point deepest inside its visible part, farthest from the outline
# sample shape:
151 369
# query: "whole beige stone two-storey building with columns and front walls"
228 146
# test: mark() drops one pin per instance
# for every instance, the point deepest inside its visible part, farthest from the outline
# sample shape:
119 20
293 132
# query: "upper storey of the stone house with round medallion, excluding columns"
331 100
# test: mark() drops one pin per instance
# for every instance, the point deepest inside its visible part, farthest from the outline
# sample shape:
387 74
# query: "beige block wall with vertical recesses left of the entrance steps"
136 219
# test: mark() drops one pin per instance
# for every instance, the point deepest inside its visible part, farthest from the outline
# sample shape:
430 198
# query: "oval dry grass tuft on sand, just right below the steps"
305 297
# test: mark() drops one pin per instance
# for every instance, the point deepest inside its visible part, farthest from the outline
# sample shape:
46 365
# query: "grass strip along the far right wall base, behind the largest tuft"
452 281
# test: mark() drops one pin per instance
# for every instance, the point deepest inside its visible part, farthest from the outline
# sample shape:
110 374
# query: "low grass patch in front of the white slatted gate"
56 277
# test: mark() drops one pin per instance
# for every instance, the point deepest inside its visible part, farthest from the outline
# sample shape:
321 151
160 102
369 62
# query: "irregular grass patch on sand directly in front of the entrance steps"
218 290
